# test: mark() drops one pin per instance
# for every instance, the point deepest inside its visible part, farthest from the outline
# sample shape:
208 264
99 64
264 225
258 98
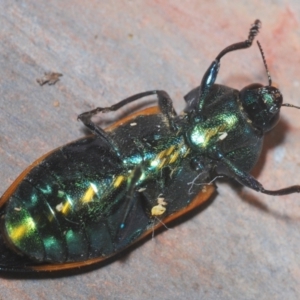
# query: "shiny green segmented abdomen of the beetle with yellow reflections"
62 216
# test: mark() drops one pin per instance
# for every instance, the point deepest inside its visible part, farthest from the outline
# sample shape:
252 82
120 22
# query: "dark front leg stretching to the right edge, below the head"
248 180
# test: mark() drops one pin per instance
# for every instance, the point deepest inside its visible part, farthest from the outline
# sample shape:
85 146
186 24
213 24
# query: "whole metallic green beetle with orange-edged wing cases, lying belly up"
92 198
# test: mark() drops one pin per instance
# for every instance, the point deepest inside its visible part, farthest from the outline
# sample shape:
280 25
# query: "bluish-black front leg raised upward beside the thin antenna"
210 75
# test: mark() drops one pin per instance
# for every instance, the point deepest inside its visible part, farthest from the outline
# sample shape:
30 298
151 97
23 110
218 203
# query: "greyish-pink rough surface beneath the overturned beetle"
244 245
